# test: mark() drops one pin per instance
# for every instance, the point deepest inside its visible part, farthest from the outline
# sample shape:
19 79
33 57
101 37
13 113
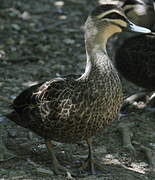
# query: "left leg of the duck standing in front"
57 168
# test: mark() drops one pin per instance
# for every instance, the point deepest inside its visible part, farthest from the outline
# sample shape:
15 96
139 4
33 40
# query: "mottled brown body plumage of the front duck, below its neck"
68 109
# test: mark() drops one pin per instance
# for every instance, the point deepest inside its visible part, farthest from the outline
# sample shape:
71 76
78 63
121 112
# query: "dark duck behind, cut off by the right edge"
136 62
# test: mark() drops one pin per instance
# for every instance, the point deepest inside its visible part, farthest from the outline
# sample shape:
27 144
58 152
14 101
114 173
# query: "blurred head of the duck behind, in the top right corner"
141 12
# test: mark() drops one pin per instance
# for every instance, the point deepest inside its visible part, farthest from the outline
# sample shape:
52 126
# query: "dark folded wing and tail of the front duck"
27 105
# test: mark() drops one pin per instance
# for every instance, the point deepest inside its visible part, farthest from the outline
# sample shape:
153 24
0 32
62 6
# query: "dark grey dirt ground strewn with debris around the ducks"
40 40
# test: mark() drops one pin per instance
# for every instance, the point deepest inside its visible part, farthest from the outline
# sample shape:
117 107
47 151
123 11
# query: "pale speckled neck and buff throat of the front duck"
98 62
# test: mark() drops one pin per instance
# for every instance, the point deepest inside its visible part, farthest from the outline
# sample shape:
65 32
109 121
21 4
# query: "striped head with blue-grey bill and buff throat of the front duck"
105 21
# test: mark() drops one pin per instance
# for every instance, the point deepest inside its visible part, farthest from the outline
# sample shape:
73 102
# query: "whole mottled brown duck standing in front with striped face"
71 108
